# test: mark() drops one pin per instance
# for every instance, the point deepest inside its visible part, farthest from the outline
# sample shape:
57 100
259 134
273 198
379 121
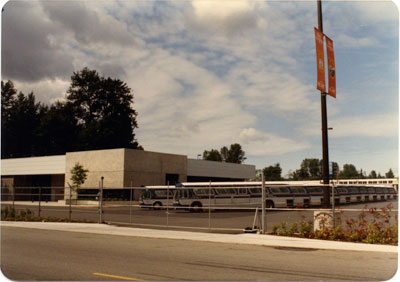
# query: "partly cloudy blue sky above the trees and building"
207 74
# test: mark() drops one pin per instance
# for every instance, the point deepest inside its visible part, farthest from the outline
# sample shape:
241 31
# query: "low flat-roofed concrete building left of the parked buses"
120 168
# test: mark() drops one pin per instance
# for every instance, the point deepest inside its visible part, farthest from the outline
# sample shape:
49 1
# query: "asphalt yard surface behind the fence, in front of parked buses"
216 221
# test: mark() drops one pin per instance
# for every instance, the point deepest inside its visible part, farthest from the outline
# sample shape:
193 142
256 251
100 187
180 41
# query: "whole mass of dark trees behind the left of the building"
96 114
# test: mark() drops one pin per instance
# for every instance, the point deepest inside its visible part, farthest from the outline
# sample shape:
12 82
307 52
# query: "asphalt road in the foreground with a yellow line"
30 254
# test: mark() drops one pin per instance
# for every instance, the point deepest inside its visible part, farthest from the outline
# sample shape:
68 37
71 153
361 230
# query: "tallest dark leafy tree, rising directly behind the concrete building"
102 108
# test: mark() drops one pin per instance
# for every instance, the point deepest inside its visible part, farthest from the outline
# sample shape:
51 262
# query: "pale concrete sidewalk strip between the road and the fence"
250 239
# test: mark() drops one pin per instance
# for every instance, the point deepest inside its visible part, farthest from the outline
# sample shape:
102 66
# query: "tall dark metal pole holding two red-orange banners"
324 119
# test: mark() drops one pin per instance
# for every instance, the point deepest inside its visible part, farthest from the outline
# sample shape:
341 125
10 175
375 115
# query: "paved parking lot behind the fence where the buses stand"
227 220
